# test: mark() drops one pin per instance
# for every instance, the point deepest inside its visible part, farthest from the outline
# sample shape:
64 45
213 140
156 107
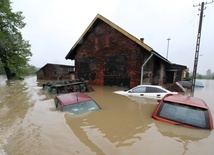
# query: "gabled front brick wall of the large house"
107 57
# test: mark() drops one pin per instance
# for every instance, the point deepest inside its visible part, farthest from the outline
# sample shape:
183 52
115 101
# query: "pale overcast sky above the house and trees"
53 27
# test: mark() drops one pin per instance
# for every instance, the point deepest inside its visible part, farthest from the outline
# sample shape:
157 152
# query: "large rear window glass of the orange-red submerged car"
184 114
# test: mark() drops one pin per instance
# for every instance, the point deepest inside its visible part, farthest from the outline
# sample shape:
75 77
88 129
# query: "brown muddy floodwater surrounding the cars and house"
29 124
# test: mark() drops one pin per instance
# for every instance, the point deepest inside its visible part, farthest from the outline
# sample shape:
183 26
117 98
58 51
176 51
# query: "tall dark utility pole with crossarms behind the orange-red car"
198 43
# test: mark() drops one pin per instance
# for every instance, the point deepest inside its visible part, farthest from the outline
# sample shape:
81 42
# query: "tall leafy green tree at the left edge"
14 50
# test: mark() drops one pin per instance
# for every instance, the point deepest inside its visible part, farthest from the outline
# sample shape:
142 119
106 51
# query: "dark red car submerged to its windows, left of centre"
76 103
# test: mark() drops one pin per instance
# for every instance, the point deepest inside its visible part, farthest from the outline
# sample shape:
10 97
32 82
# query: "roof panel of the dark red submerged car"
72 98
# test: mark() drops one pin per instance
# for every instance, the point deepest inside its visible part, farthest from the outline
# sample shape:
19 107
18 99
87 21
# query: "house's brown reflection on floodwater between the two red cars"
117 125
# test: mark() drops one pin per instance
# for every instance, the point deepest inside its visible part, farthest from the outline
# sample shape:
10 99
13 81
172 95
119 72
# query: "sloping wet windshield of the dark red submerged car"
81 107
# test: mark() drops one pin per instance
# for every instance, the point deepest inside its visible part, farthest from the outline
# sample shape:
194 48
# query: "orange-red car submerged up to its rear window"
184 110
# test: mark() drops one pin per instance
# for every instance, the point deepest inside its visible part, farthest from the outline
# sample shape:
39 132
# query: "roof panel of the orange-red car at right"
187 100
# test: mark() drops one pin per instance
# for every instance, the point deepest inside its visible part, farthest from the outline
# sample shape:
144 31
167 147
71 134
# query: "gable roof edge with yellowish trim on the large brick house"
99 17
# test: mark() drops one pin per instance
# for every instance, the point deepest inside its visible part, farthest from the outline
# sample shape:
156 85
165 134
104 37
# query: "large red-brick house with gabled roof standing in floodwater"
105 54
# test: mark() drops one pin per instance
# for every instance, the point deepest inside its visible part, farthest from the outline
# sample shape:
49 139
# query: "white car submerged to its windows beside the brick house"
149 91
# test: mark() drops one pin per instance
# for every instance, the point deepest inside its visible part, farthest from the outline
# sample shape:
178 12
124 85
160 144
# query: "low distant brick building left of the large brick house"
55 72
